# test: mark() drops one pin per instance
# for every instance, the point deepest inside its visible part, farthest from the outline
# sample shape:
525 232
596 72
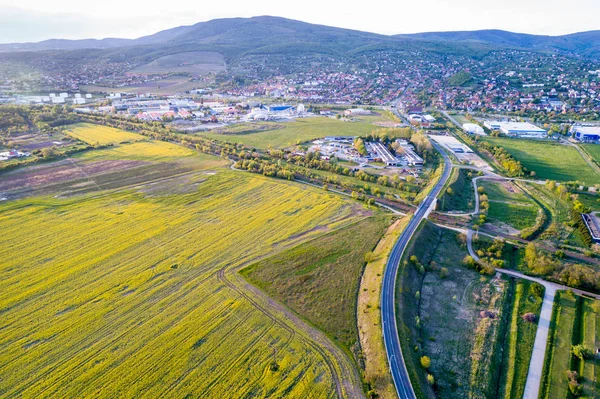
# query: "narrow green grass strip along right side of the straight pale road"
558 356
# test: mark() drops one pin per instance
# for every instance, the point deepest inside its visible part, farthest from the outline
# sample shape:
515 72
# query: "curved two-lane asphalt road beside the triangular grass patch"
388 310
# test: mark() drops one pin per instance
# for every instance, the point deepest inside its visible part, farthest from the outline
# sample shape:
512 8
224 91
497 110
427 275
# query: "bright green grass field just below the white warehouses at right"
549 160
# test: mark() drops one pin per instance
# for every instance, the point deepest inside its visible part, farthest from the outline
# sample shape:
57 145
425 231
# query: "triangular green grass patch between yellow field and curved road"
319 279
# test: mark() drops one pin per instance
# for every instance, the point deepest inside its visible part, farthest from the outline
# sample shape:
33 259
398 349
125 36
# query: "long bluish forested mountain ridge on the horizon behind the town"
235 36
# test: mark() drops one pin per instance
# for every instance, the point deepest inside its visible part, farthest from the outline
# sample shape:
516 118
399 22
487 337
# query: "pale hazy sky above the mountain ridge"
34 20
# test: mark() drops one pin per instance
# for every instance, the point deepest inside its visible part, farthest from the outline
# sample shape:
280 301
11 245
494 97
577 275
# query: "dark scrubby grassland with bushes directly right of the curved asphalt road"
439 305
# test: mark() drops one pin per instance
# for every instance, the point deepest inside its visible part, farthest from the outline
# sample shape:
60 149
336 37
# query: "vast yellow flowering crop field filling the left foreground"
133 292
